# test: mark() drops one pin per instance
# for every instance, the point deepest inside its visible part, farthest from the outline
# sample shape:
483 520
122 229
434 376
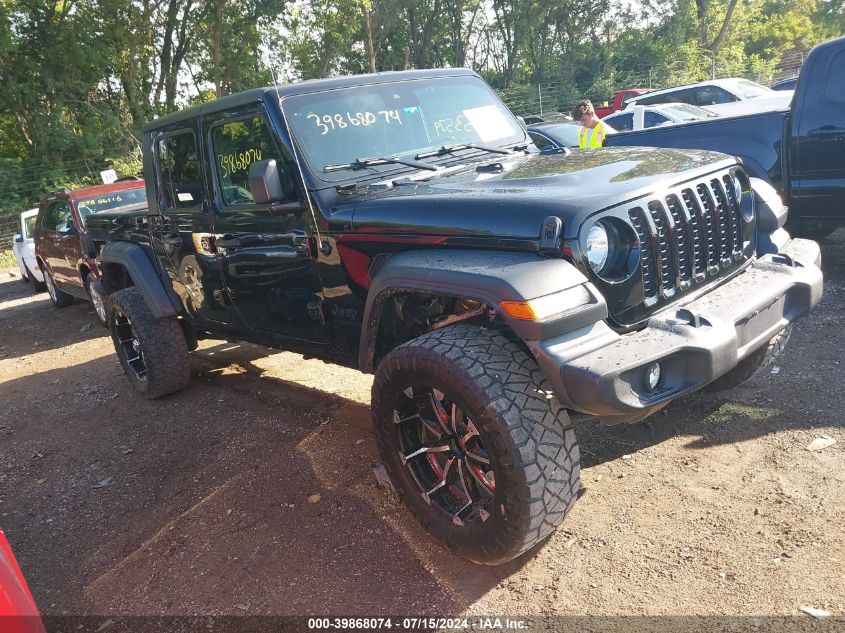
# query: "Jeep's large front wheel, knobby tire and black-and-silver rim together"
475 442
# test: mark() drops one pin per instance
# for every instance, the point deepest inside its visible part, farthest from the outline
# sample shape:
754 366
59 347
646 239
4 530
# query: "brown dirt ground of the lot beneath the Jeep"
198 503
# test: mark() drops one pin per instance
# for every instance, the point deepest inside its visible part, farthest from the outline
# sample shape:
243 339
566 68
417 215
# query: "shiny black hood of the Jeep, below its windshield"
512 202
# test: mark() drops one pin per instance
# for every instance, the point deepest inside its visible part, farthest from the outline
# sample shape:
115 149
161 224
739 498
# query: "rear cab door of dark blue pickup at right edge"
818 161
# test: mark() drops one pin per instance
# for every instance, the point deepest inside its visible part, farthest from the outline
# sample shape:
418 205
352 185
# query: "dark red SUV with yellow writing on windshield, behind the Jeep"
62 247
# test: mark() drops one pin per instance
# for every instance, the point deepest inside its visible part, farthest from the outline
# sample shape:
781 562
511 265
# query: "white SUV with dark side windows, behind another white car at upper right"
725 97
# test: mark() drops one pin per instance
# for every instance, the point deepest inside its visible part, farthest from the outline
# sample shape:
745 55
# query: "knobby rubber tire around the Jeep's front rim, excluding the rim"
524 429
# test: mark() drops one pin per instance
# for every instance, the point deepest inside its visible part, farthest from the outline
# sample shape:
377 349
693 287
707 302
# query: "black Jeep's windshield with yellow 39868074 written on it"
399 119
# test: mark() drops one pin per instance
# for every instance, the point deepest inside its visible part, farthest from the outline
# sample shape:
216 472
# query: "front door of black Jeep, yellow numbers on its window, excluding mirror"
268 259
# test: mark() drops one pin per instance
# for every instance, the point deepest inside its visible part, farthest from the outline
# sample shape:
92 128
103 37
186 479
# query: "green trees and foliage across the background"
80 77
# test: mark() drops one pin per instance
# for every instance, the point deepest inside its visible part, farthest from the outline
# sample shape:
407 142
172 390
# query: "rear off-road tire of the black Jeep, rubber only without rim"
162 342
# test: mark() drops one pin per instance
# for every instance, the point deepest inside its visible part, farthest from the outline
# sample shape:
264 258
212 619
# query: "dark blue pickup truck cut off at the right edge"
800 151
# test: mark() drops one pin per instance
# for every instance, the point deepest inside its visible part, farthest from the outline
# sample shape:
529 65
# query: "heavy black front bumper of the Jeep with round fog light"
596 371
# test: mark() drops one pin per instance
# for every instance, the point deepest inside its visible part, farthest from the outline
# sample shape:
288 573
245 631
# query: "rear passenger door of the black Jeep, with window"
181 233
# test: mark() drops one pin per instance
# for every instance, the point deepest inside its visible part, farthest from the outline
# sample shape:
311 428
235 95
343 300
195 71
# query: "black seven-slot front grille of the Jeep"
692 234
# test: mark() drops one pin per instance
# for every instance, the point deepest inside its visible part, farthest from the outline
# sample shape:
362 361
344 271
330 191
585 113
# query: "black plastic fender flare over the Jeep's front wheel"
486 276
